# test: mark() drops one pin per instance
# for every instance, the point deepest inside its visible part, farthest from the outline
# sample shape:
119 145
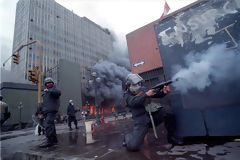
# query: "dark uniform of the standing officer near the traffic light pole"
50 106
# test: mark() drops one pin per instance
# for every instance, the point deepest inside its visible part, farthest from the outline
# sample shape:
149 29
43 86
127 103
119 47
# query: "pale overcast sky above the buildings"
120 16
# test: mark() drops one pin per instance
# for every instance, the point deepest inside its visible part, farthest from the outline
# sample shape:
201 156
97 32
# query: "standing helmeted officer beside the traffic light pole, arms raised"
50 106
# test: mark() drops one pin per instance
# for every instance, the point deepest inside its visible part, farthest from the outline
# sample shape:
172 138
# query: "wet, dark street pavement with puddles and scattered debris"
107 145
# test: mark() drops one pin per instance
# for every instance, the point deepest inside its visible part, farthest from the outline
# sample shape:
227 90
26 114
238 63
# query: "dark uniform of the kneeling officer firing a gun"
142 121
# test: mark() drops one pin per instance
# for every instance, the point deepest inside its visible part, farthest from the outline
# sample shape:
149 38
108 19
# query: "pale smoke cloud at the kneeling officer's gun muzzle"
217 65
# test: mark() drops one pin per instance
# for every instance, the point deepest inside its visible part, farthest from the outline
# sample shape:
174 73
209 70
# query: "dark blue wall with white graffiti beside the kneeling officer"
190 32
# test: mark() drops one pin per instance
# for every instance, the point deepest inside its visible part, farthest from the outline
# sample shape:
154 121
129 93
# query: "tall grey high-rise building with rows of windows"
63 35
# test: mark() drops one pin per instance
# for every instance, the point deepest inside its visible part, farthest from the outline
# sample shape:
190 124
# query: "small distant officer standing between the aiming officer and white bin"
71 115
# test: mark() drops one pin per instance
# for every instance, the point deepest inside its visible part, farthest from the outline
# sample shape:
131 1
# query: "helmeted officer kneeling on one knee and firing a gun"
137 98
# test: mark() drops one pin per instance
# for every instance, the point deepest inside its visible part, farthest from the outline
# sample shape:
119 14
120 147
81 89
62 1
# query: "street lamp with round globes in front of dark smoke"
94 81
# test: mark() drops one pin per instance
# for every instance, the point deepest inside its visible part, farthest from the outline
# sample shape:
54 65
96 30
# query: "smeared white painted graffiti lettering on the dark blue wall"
201 26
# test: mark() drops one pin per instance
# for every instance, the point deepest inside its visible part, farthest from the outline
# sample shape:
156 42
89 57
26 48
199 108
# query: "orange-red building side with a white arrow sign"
144 54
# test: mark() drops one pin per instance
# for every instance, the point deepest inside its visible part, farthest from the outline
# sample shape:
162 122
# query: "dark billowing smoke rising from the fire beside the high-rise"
112 73
